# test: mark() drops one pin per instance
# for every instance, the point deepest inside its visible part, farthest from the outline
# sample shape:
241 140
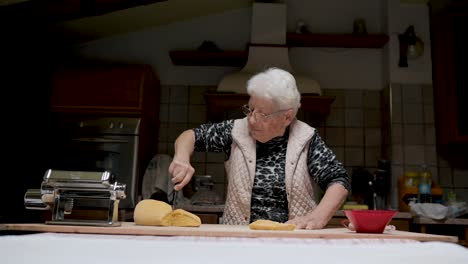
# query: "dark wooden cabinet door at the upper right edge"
450 56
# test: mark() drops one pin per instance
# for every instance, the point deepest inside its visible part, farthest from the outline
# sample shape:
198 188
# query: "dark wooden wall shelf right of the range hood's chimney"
337 40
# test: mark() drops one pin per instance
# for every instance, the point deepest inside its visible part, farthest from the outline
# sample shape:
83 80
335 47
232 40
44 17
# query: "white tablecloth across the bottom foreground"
54 248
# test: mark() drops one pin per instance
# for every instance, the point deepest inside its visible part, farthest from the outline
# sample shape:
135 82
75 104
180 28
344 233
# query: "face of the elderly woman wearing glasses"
266 121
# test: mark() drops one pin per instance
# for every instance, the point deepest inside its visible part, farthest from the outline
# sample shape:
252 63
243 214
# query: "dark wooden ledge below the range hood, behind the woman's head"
219 103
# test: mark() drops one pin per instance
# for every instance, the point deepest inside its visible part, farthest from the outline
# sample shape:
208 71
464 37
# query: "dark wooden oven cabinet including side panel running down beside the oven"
91 90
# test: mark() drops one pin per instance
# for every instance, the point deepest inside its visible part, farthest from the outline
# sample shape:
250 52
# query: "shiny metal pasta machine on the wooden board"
67 192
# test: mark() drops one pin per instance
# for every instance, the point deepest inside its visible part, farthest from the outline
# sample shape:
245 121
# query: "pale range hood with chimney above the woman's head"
267 49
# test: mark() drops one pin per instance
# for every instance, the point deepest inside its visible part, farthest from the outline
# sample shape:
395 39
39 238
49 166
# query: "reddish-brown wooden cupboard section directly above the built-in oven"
110 88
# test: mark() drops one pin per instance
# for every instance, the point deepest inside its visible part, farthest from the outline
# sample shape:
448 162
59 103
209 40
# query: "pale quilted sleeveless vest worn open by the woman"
240 169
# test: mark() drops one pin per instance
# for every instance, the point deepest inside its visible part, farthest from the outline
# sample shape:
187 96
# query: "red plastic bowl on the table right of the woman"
370 221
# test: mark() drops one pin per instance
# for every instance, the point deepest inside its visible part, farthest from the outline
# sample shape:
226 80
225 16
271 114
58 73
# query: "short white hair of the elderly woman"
277 85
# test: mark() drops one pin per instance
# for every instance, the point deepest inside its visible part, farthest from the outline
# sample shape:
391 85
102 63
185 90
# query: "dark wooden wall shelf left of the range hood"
205 58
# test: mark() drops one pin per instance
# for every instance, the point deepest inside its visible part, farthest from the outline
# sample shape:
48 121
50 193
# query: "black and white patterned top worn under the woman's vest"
269 200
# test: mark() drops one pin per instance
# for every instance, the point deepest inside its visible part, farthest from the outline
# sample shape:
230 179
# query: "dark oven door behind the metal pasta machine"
115 153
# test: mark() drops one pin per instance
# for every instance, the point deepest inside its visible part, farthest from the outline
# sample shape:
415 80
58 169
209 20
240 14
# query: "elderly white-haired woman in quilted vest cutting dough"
275 164
